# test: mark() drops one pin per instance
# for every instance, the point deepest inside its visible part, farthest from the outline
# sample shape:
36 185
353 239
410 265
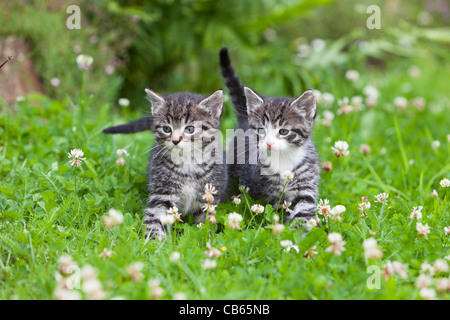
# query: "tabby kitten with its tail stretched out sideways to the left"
187 155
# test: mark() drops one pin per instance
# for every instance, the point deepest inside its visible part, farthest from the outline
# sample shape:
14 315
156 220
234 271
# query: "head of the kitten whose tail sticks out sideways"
181 118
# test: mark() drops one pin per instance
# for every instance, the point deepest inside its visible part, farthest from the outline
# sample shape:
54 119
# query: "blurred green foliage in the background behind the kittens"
279 47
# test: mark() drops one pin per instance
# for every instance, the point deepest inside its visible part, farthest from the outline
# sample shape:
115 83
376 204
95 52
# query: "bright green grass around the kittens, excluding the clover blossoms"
39 221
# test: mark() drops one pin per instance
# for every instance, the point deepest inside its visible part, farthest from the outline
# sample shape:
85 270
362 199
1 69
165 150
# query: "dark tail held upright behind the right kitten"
234 85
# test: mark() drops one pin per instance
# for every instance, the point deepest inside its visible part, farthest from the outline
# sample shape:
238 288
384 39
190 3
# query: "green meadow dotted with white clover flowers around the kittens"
383 136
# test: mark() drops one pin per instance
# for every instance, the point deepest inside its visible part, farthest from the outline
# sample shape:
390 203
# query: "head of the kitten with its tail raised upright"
282 124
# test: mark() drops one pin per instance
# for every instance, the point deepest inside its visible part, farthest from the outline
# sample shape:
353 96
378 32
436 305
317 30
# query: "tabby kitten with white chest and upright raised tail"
281 142
